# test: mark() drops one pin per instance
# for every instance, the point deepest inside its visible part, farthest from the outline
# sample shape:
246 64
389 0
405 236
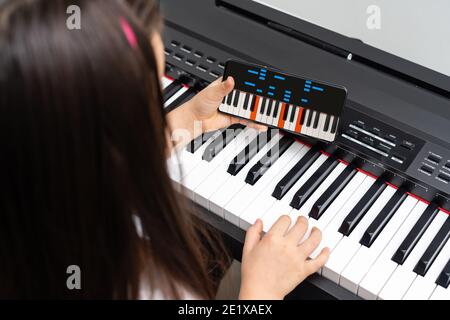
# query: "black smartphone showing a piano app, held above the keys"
287 102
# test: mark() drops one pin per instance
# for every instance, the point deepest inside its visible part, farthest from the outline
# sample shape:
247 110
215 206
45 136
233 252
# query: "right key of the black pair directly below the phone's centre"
258 170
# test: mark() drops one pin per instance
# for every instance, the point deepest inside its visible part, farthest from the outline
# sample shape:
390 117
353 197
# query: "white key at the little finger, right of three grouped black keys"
337 209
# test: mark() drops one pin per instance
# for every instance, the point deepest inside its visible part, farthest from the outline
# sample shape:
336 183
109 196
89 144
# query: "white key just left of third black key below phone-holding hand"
220 175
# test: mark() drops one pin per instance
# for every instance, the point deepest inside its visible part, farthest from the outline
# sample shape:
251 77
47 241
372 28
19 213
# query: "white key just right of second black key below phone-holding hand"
204 168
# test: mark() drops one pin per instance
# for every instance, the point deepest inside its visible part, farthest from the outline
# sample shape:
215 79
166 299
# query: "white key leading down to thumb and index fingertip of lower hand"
283 207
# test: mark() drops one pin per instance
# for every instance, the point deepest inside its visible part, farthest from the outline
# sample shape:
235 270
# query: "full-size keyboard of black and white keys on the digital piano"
385 242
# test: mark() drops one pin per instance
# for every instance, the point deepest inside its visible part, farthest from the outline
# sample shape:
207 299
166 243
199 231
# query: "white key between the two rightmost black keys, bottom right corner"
422 287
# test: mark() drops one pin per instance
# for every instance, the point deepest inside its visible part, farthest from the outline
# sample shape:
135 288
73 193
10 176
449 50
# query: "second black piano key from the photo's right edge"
433 249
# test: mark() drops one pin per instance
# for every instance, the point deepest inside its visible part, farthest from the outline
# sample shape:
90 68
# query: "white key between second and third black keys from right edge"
403 276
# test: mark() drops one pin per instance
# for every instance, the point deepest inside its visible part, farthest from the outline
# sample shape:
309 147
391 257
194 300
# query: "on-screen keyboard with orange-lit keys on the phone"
285 116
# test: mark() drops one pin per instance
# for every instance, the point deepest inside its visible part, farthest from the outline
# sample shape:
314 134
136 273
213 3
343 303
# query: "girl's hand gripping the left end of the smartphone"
204 107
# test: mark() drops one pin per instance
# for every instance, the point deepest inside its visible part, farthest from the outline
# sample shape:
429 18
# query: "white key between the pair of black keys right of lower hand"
348 246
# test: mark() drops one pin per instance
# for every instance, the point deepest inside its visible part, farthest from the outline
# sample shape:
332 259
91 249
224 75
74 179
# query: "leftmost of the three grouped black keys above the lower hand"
295 173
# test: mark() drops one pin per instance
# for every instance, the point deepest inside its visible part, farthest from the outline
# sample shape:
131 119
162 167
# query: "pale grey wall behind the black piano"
415 30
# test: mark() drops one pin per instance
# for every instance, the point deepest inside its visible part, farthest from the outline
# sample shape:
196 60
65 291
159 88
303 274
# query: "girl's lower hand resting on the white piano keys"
274 265
